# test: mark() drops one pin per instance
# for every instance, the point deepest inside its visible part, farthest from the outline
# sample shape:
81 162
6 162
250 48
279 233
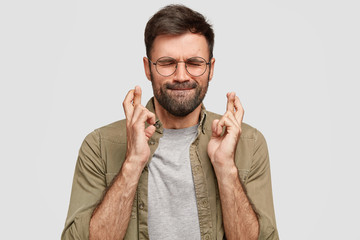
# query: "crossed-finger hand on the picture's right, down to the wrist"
222 145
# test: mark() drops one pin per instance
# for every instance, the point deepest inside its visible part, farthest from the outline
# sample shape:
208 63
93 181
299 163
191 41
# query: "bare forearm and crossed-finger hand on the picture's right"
240 221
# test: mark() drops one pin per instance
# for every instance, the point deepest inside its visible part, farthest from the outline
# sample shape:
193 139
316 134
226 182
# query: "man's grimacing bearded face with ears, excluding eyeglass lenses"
179 93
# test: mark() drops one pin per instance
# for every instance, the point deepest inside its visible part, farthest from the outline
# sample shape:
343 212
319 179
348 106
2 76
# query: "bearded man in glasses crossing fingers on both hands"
172 170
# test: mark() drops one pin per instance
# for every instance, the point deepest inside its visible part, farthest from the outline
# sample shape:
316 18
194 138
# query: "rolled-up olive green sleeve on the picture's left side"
88 187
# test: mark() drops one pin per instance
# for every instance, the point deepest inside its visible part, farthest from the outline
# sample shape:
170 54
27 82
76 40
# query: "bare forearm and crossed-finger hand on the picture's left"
115 208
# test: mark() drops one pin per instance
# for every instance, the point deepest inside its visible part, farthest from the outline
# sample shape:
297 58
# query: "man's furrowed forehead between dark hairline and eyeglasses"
180 46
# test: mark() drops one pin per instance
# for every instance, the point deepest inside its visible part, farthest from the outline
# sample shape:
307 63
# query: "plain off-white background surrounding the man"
65 67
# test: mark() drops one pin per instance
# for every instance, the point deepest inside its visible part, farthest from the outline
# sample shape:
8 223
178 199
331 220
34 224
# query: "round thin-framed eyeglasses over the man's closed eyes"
166 66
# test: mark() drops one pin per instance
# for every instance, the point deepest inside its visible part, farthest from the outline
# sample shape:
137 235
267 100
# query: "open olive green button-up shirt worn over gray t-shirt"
103 152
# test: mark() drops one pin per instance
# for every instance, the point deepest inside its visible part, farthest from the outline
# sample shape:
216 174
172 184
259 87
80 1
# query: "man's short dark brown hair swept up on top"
176 20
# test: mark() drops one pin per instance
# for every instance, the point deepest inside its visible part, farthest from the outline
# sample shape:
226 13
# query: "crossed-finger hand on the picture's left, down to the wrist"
138 150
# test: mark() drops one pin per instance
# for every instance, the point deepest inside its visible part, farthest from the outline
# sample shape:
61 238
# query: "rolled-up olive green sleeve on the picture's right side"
259 190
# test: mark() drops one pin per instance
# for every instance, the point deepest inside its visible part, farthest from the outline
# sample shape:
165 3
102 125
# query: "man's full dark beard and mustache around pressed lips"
182 103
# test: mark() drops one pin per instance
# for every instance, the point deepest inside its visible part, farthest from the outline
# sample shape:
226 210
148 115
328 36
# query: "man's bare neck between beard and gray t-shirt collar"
174 122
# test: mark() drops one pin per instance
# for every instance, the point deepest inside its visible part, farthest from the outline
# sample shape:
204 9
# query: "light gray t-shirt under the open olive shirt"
172 210
